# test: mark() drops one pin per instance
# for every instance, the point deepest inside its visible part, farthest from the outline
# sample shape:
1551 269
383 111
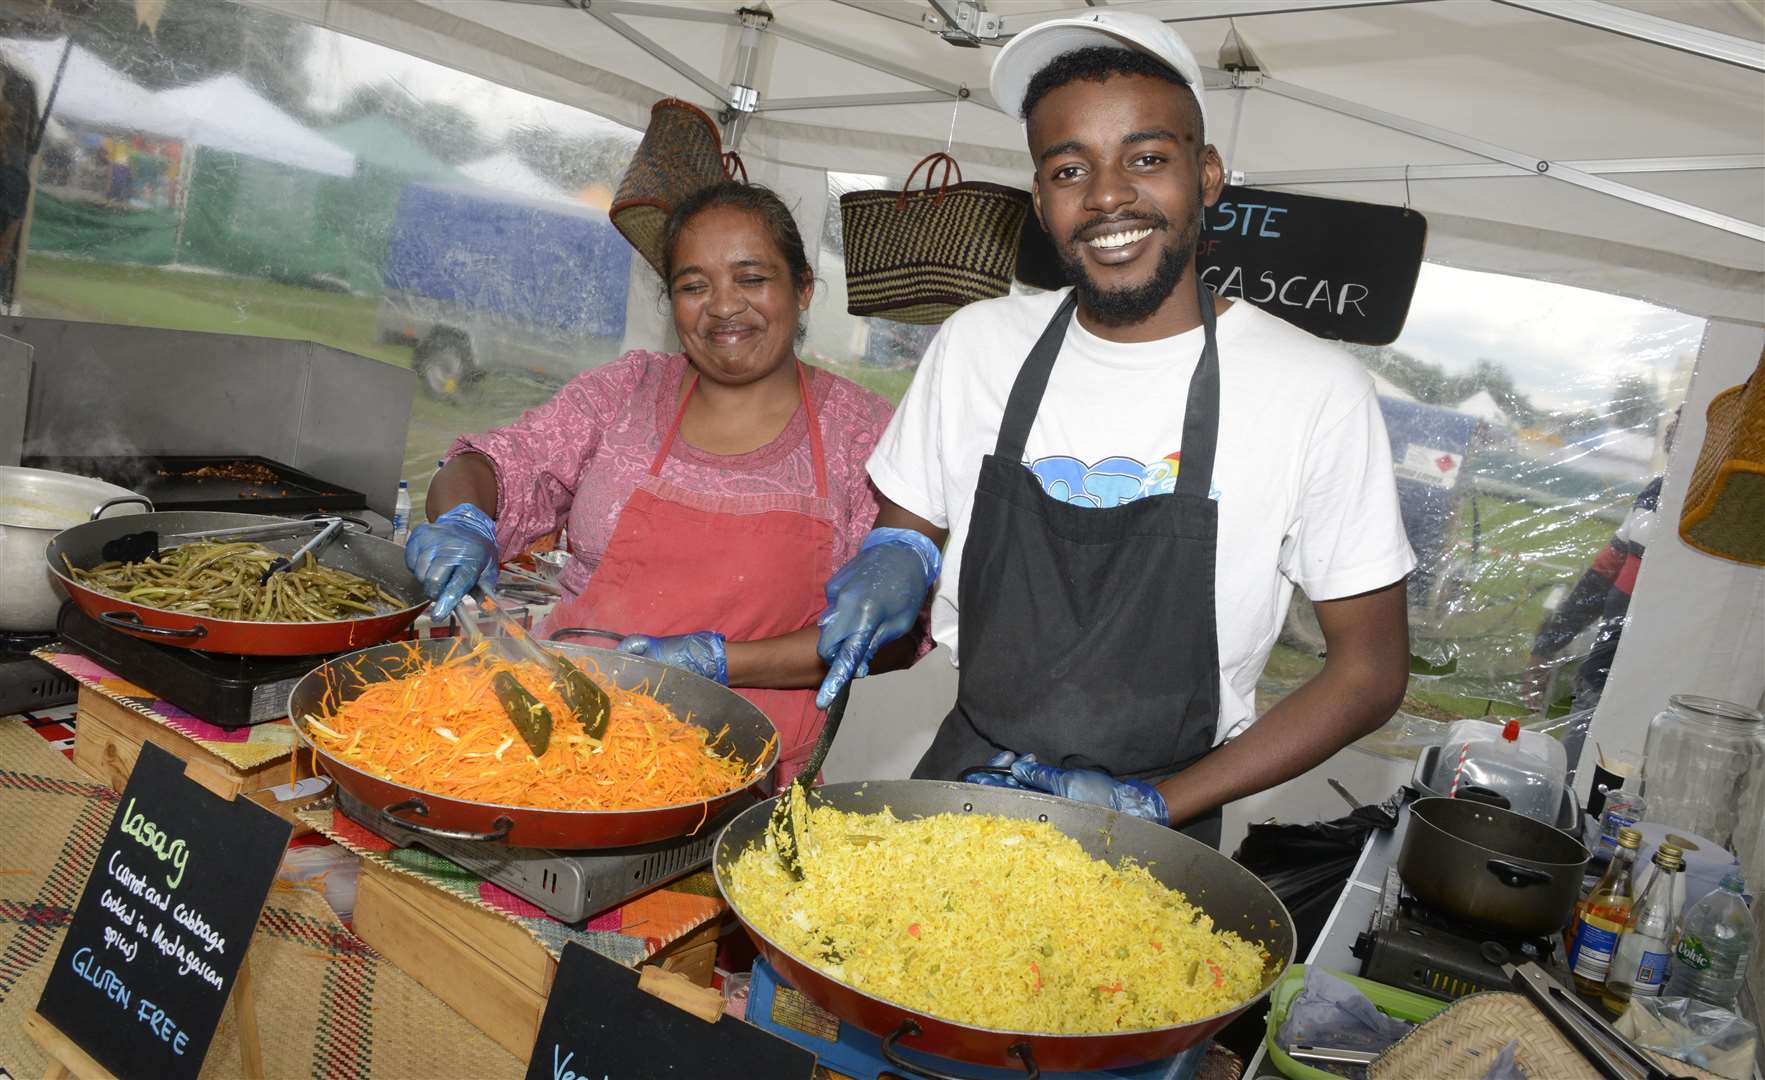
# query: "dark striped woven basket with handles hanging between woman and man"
917 257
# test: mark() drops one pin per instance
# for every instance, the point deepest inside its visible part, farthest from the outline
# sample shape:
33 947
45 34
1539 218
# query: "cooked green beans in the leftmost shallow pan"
222 581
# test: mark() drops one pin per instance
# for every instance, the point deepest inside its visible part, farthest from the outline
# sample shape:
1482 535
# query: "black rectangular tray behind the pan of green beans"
167 481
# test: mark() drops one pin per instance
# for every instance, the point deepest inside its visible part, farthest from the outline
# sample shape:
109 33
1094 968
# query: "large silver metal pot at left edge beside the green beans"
34 507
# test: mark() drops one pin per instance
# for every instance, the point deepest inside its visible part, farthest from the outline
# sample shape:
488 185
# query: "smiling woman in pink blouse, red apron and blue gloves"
709 495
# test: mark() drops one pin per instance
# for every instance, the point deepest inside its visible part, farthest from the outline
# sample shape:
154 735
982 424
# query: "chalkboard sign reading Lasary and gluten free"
165 922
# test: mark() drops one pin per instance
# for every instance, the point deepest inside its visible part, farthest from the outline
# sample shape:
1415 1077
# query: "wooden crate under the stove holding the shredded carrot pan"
486 968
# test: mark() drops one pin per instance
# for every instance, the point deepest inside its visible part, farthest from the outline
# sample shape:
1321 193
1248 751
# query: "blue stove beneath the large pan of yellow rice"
850 1051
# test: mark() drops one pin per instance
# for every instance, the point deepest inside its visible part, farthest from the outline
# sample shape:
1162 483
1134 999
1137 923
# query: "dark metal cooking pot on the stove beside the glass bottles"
1492 867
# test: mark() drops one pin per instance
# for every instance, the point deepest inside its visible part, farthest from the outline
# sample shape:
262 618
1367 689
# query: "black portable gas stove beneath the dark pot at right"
1416 949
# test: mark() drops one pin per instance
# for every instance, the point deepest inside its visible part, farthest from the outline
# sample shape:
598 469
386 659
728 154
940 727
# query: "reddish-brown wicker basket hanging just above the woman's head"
682 153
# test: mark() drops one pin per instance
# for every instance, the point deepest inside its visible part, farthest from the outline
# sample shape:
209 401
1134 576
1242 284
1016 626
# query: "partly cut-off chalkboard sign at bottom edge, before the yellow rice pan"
599 1026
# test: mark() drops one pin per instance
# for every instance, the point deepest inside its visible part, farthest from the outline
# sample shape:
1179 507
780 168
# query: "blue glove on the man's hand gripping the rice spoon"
871 603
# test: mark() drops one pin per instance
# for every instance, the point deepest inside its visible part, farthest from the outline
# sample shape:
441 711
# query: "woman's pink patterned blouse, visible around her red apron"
578 458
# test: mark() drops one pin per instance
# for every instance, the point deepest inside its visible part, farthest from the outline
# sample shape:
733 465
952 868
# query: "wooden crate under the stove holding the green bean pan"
109 739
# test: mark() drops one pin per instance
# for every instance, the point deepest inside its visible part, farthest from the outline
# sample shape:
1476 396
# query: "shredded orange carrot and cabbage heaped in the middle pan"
440 728
